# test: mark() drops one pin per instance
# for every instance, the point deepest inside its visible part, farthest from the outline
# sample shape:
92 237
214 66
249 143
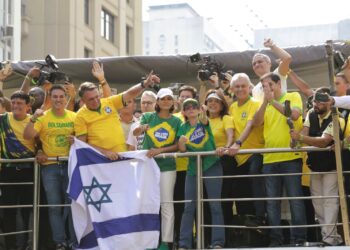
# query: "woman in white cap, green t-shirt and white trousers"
160 129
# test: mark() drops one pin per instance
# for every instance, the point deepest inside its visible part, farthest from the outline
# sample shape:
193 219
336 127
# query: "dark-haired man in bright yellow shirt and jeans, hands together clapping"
277 135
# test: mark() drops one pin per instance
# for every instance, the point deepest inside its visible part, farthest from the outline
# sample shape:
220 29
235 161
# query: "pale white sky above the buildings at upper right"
237 19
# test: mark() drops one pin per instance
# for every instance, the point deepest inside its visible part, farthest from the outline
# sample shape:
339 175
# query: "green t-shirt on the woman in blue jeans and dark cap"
200 138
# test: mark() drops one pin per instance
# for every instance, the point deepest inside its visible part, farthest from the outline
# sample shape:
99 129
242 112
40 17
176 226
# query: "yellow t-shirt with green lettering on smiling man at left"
53 131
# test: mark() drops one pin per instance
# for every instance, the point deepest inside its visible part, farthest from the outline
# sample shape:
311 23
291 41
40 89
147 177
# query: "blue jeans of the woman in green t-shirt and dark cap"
213 188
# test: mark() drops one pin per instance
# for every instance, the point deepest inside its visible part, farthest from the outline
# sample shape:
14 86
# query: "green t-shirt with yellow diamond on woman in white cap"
161 133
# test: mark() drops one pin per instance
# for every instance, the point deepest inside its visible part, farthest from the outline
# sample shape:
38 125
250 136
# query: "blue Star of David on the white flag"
103 188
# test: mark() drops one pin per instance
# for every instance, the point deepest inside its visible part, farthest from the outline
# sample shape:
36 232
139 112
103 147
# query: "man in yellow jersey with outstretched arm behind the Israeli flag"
98 123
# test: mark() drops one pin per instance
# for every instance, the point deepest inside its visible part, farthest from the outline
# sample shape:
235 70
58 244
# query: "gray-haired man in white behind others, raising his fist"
262 64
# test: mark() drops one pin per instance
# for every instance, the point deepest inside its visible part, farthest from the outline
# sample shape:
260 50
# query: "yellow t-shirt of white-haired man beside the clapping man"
241 115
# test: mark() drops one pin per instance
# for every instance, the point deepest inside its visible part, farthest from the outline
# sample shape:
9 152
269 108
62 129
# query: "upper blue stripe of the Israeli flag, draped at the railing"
86 156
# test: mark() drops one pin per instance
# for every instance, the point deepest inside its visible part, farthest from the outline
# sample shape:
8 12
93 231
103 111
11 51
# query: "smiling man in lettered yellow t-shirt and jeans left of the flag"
54 127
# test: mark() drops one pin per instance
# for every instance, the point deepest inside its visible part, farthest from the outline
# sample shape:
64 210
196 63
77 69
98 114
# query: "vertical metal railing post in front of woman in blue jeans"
199 203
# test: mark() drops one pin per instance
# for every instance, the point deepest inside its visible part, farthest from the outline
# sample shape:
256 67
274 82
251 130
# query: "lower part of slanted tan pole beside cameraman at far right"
338 159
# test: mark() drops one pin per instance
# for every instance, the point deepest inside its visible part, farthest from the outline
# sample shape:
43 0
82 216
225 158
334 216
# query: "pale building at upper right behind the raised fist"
304 35
